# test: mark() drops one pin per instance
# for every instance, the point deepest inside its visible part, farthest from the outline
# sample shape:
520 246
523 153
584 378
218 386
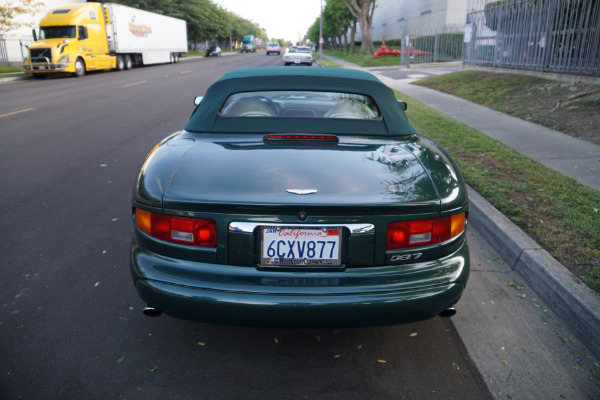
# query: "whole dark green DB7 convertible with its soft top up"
299 197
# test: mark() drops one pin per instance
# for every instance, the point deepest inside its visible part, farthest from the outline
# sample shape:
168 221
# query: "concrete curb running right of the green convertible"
566 295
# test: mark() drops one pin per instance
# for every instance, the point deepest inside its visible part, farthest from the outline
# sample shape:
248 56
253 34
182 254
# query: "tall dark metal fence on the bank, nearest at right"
560 36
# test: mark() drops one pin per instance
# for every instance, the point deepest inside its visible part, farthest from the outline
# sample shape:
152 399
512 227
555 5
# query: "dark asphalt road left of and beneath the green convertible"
71 325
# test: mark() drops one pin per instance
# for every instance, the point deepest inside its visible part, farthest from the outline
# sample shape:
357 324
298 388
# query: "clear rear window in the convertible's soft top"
303 104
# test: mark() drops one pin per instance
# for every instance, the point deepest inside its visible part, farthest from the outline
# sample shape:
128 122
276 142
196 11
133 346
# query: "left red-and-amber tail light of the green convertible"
191 231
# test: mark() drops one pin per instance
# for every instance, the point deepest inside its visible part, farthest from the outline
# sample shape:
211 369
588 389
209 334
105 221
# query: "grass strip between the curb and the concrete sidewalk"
559 213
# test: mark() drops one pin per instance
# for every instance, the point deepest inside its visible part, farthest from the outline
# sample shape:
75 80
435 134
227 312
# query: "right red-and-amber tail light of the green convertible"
424 232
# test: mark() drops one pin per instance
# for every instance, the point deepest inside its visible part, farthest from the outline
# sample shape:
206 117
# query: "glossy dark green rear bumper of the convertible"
234 295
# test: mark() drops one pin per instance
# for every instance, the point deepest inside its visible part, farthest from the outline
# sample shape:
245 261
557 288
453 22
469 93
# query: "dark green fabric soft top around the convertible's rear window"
206 116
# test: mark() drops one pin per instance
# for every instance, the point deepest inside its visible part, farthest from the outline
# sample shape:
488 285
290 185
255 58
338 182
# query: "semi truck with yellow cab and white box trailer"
75 38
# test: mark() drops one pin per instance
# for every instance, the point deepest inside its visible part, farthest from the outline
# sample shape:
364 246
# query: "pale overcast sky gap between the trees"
281 19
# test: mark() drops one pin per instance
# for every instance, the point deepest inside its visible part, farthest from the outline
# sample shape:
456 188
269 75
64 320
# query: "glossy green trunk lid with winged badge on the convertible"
356 172
